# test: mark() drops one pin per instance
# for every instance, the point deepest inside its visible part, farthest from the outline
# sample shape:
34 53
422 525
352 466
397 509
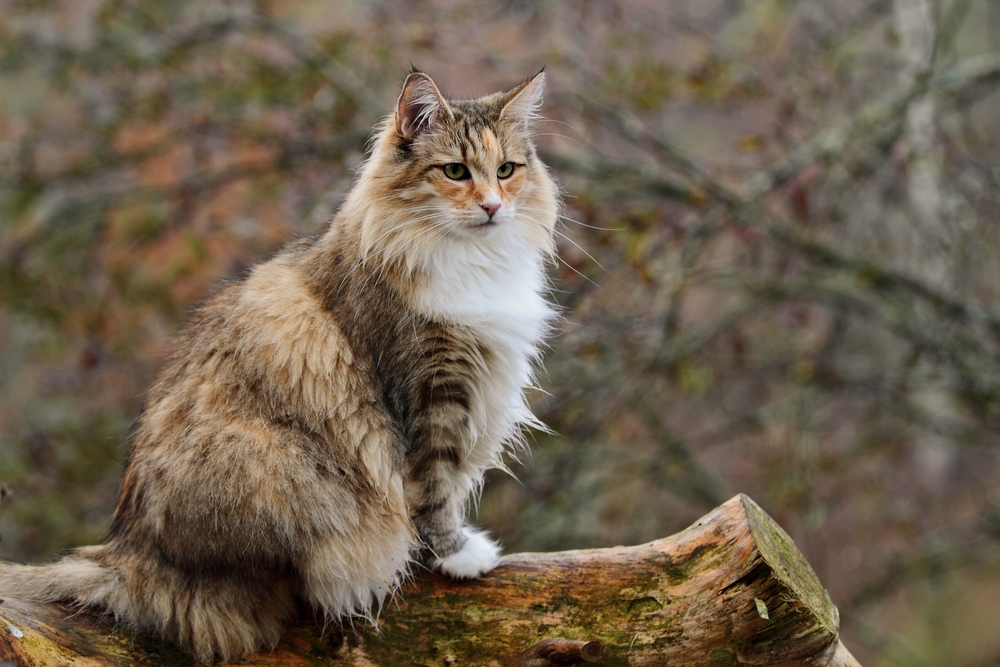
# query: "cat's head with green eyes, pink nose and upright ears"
459 175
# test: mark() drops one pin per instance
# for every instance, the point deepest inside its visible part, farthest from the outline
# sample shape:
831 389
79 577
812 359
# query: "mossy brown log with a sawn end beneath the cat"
730 590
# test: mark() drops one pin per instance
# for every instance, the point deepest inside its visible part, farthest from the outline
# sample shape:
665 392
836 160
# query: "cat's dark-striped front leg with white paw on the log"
438 492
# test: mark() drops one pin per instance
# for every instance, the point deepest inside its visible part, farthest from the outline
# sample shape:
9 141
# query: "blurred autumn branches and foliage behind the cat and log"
780 260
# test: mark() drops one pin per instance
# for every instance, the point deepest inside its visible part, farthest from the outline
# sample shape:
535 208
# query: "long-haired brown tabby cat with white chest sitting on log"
325 421
